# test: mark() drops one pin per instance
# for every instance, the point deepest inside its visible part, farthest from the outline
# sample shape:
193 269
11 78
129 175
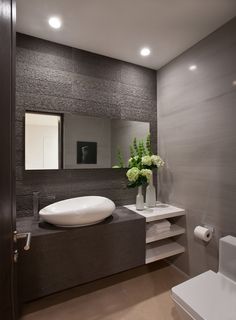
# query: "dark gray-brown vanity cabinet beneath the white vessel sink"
64 258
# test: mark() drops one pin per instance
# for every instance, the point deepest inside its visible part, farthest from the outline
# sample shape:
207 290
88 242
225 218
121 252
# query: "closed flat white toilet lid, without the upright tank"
209 296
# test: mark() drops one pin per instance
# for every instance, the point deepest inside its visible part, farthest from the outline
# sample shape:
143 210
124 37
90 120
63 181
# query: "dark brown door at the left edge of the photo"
7 162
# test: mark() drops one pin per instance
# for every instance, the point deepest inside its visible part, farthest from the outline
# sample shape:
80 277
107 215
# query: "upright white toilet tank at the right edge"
227 257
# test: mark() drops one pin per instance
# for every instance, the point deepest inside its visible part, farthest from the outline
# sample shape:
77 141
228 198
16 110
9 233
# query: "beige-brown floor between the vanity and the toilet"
140 294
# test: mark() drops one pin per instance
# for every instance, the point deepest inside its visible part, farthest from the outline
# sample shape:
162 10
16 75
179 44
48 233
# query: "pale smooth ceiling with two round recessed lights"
119 28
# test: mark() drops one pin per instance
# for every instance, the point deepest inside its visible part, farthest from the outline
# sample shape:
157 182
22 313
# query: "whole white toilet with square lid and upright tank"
210 296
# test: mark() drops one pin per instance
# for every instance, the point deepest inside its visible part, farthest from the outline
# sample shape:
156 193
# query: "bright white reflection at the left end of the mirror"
42 141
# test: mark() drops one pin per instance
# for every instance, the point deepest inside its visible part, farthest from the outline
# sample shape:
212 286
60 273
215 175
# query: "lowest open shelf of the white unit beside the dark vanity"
161 250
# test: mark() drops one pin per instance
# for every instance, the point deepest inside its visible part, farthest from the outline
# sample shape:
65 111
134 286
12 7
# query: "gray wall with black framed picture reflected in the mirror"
92 142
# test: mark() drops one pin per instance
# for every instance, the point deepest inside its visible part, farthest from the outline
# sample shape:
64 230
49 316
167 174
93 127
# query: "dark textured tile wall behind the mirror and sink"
56 78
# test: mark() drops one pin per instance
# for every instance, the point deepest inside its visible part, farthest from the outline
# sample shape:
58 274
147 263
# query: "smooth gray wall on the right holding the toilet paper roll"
197 138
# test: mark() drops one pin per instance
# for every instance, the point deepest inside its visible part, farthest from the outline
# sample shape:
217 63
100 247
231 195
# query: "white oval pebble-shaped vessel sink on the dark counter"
78 212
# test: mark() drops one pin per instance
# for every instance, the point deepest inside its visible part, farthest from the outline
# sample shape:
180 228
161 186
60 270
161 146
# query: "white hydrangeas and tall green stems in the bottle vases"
141 163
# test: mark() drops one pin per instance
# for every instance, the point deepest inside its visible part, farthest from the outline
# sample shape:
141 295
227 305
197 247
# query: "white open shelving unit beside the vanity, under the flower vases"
161 244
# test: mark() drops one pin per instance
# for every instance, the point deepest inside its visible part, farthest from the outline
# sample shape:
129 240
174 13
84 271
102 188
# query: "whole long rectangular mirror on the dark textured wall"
88 142
